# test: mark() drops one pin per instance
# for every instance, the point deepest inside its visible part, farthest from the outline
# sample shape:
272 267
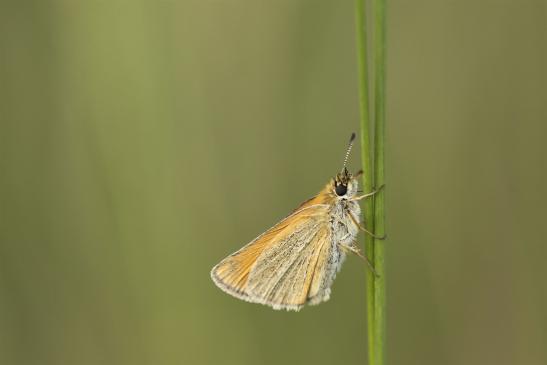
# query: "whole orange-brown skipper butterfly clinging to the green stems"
295 262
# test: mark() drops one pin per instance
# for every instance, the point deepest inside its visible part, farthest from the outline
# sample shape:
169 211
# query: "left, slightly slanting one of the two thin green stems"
360 26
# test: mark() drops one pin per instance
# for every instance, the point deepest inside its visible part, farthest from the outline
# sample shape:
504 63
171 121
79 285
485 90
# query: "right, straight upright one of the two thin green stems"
379 215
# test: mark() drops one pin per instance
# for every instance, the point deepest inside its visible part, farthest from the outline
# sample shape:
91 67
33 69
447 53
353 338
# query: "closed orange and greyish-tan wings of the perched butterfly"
288 265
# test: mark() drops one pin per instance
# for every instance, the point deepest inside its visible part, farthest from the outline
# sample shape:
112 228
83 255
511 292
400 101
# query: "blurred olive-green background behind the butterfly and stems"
141 142
